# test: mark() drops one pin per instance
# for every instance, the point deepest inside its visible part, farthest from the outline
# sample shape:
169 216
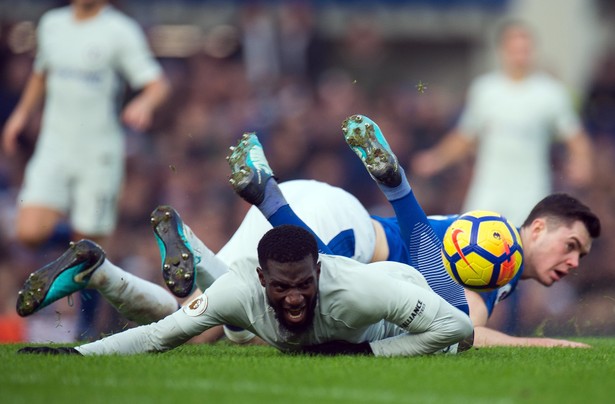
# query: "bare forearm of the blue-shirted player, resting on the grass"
485 336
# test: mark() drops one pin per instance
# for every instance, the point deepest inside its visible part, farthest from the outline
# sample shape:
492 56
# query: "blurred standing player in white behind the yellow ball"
511 118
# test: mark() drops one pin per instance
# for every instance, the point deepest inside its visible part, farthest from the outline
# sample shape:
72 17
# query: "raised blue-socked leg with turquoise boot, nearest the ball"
367 141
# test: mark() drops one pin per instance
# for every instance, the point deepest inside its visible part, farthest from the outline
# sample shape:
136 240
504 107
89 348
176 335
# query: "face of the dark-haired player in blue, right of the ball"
556 250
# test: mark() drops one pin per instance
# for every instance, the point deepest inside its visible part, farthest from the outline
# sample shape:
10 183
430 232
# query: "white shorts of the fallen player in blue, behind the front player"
329 211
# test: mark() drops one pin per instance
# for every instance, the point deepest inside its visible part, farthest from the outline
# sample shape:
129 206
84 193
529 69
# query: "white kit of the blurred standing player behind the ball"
515 123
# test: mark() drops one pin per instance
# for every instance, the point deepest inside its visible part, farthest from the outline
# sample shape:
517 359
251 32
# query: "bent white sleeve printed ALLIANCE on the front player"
403 298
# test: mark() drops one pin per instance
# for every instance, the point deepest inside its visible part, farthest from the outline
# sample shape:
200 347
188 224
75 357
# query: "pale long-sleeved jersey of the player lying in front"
387 304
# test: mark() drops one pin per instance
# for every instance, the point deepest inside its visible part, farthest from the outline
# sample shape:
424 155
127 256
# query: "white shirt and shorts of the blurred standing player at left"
78 165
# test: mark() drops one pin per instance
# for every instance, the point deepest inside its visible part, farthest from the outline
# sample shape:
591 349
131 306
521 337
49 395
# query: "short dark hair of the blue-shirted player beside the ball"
565 208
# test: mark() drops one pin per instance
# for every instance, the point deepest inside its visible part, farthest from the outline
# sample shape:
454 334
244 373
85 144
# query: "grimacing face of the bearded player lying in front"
292 291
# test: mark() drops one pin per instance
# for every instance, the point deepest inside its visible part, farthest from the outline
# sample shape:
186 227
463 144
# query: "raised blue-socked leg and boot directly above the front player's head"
253 180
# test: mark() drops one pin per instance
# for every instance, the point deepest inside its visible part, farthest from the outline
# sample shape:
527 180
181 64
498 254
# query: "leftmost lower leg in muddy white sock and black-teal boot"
84 265
